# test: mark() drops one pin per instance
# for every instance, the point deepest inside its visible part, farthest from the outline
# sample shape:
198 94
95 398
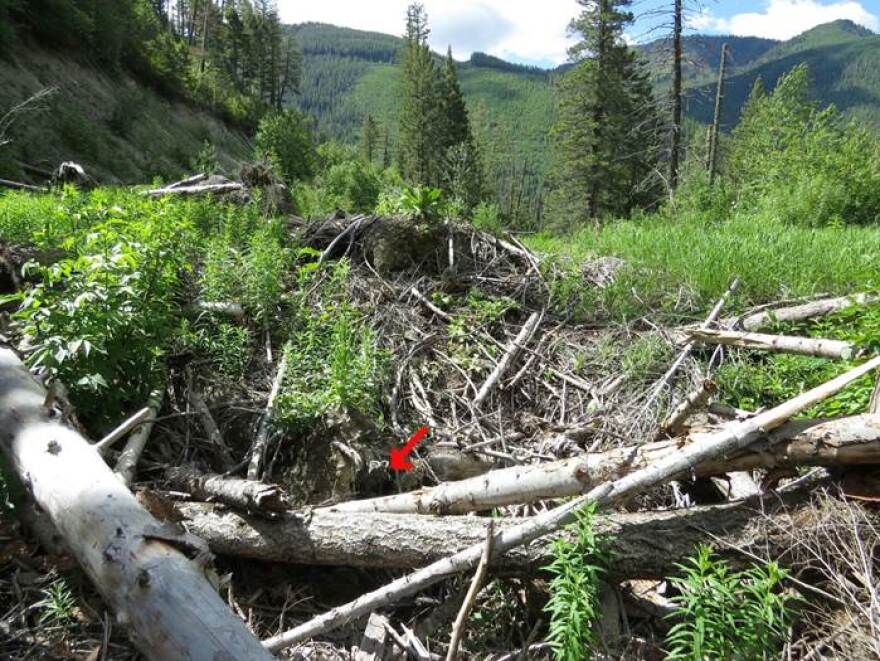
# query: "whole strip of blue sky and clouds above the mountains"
534 31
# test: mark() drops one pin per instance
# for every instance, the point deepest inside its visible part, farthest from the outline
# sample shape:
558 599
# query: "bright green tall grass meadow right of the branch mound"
684 265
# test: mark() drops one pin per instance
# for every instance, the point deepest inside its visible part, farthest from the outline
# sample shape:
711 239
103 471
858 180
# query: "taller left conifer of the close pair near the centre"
420 110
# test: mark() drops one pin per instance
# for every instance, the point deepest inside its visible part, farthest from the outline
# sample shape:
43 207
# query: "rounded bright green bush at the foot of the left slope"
286 140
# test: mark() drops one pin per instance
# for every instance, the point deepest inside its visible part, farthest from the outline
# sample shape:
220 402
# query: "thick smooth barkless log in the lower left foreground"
138 565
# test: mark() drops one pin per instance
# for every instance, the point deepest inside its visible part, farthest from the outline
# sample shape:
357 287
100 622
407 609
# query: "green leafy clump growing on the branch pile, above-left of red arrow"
334 362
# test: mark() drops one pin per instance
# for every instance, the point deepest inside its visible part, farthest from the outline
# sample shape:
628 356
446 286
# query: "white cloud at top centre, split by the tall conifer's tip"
523 30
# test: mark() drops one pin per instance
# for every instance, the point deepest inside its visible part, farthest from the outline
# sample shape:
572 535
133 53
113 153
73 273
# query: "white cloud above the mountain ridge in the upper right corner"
784 19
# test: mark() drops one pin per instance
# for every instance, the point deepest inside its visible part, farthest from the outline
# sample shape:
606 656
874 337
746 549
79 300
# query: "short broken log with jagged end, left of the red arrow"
248 495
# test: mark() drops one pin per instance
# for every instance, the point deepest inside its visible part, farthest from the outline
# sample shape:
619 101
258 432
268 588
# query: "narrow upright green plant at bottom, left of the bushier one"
577 569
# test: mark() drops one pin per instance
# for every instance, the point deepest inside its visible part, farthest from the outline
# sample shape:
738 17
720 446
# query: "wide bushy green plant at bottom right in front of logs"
724 614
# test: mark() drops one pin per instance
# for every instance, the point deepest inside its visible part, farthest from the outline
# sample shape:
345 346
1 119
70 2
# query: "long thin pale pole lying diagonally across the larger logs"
736 437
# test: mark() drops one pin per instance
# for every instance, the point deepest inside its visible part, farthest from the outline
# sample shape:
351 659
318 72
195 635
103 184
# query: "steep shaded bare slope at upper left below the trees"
120 130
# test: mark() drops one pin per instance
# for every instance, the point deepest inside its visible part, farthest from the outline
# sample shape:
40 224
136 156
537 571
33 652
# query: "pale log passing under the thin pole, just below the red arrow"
838 442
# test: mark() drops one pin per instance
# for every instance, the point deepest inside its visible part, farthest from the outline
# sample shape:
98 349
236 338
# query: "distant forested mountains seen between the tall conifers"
348 73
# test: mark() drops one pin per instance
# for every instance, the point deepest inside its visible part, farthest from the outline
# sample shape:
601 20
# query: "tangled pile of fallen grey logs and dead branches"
525 433
